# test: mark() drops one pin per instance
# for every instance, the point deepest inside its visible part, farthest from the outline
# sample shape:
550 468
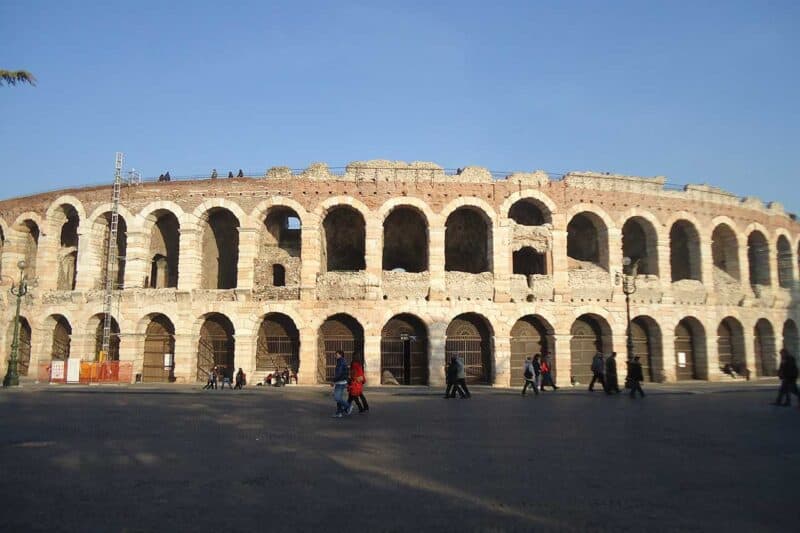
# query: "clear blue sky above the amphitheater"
698 91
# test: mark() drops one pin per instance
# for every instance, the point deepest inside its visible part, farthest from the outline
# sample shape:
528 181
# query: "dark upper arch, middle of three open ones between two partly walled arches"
405 240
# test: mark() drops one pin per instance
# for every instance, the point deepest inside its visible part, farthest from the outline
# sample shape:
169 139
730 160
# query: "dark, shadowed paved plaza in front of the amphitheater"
707 458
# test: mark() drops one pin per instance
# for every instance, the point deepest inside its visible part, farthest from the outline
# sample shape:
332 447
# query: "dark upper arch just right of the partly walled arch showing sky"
344 234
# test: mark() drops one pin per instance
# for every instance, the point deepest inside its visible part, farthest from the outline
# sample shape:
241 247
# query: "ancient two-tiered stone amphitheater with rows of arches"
402 264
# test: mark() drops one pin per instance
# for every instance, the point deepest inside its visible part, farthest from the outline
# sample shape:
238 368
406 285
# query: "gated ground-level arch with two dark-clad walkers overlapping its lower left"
470 337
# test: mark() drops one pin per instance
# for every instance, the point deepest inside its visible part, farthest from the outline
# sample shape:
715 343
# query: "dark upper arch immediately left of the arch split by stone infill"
467 241
